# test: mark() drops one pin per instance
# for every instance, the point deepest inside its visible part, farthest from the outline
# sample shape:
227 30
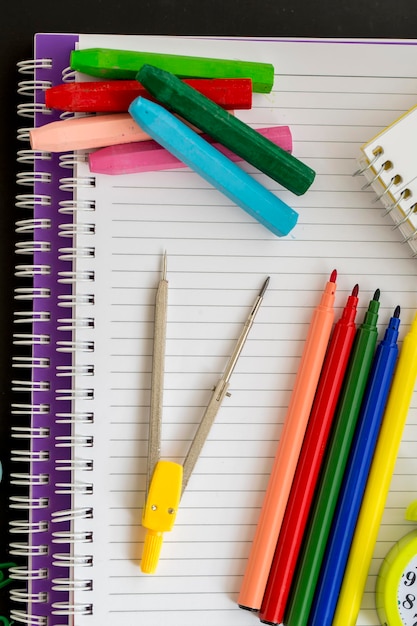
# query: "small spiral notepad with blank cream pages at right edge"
388 163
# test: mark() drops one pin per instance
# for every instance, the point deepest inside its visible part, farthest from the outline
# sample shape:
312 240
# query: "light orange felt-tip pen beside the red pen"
283 470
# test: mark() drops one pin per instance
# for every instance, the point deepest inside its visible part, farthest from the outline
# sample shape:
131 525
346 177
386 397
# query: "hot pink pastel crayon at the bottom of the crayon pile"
147 156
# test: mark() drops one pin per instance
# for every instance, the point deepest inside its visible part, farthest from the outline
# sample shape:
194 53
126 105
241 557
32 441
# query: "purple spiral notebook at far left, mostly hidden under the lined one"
43 276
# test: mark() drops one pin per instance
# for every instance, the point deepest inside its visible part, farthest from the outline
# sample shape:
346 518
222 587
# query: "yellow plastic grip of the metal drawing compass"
160 510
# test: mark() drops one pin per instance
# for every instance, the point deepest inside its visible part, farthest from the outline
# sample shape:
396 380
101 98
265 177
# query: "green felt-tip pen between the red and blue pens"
324 504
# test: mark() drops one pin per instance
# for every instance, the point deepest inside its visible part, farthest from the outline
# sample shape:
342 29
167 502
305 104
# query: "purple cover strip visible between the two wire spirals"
57 48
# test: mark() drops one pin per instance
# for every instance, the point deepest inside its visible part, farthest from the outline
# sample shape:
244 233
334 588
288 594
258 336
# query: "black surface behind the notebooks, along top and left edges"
21 19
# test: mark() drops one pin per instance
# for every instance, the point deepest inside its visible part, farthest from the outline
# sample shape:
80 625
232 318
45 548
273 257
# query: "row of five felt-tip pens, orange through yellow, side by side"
324 502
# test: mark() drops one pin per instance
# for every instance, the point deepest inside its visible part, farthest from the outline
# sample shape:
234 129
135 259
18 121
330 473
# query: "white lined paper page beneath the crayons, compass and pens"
334 96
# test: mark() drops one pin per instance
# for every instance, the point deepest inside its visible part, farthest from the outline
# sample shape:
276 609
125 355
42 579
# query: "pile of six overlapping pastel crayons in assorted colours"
154 111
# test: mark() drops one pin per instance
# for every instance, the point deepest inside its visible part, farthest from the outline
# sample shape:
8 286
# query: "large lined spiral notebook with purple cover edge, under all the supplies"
98 243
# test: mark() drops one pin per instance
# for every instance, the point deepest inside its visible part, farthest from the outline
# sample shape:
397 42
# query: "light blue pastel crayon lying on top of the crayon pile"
213 166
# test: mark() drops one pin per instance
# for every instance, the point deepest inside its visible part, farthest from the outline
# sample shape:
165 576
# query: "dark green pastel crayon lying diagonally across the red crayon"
227 129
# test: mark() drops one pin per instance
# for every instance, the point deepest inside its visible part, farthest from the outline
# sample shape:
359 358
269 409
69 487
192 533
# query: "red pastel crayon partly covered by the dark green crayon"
115 96
